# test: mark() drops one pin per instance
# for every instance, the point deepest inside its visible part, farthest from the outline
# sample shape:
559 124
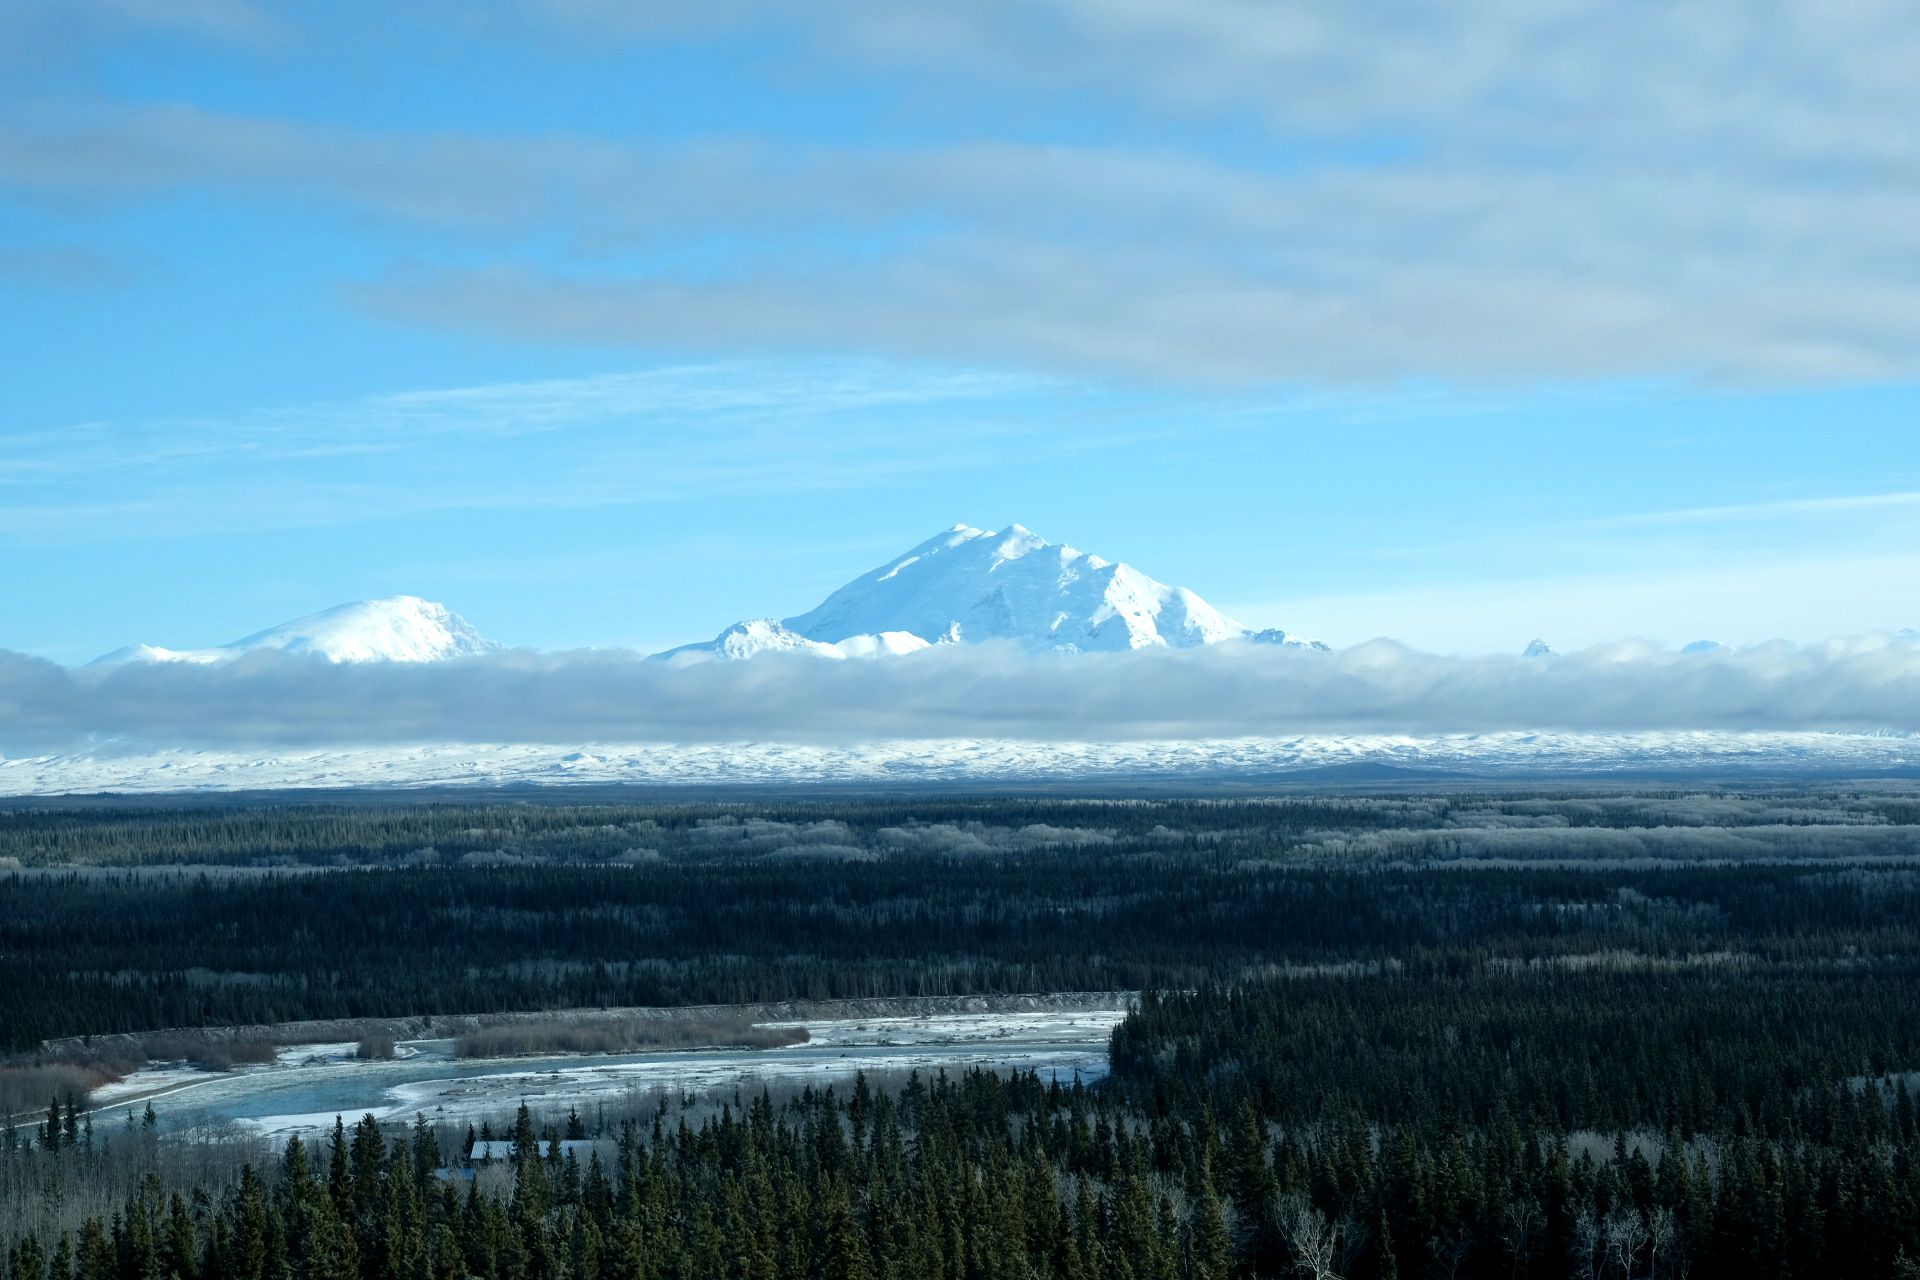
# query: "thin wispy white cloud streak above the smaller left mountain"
700 433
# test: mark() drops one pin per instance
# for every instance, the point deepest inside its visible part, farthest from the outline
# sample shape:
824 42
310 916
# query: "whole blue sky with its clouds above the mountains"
613 329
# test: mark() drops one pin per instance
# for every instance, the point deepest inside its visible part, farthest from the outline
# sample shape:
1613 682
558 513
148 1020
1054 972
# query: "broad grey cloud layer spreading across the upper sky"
1491 191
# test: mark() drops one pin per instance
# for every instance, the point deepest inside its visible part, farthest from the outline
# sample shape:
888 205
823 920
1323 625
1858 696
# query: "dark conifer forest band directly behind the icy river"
95 953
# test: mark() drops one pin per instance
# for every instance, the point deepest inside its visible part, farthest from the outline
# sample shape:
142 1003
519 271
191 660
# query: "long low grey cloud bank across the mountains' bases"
274 699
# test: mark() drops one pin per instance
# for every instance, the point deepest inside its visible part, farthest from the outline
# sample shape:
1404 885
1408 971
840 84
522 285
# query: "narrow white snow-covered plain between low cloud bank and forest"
971 761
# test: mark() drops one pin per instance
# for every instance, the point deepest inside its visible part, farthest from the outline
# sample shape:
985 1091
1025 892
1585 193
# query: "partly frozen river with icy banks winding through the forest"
310 1085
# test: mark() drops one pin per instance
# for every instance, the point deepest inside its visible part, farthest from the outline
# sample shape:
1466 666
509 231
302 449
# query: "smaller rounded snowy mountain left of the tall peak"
402 628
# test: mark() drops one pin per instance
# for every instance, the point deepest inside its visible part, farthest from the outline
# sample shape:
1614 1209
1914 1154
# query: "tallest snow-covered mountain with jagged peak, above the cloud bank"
971 586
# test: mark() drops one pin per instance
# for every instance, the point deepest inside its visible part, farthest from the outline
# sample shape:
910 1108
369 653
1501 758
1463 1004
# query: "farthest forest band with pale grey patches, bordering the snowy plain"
327 834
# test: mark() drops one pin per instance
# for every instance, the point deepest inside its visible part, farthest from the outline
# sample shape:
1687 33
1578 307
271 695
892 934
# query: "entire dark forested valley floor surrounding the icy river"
1404 1035
